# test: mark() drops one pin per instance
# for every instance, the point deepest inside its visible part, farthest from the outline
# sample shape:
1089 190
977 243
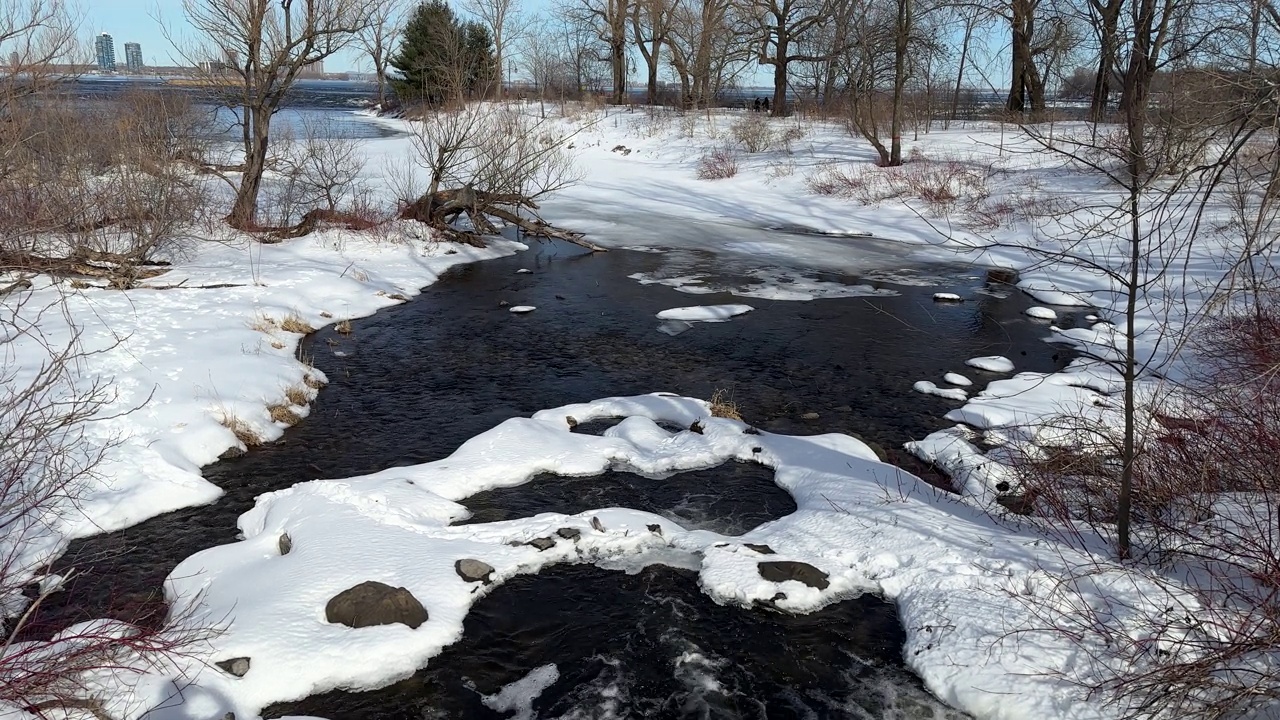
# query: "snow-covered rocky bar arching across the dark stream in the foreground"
868 526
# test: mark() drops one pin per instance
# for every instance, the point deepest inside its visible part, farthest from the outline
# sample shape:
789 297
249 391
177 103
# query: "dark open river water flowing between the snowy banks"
414 382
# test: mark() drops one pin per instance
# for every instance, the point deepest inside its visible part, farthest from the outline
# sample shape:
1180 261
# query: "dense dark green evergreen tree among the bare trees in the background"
442 60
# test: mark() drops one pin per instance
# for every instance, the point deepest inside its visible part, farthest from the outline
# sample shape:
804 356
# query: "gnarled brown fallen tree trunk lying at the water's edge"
441 209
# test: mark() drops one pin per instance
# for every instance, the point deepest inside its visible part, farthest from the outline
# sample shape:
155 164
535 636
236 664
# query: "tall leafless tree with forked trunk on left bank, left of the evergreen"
263 47
